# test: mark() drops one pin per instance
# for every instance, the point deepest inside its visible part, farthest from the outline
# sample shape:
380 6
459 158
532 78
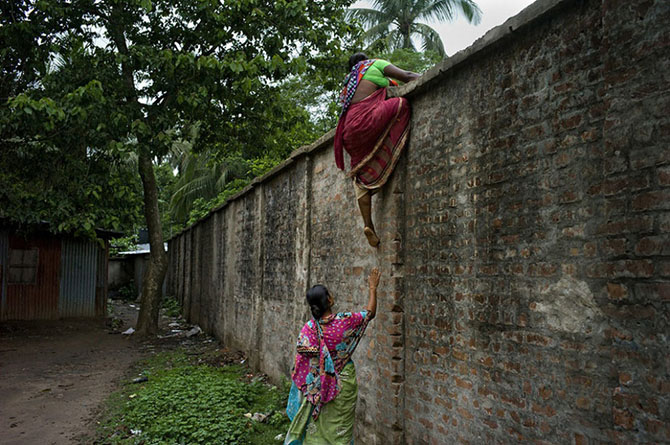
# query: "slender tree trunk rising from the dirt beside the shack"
152 282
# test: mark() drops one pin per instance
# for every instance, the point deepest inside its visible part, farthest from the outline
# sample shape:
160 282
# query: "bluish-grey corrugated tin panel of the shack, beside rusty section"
78 278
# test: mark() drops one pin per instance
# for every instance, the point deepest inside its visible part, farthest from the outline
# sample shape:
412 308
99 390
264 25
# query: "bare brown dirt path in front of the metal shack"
54 376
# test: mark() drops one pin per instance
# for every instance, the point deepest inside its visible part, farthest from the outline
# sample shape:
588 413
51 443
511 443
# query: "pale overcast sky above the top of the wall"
459 34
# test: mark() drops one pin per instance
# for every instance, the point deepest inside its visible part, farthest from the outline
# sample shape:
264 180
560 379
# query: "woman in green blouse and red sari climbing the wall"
372 129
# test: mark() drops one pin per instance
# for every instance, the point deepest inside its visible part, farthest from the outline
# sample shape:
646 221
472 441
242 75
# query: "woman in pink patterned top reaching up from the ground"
322 402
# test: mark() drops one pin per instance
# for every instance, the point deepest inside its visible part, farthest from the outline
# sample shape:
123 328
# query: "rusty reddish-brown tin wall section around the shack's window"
38 300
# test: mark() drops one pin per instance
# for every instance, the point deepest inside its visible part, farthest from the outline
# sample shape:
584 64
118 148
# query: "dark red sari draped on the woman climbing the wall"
373 131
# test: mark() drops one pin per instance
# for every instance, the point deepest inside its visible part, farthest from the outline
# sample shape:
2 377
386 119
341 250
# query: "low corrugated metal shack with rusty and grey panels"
47 276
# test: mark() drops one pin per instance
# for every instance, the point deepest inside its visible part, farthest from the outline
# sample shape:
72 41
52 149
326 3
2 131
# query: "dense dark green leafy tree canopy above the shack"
89 86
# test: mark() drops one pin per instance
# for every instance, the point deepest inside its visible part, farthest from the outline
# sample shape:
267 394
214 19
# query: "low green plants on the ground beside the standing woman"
185 402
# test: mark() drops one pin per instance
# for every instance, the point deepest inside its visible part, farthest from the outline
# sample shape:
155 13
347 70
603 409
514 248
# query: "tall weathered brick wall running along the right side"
525 253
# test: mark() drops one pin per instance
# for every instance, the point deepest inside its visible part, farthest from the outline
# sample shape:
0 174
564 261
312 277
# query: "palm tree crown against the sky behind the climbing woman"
392 23
